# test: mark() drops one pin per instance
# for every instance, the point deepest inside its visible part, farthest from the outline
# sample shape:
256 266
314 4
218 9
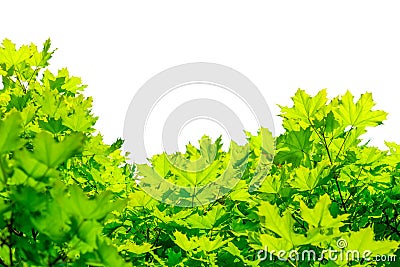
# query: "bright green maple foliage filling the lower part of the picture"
69 199
